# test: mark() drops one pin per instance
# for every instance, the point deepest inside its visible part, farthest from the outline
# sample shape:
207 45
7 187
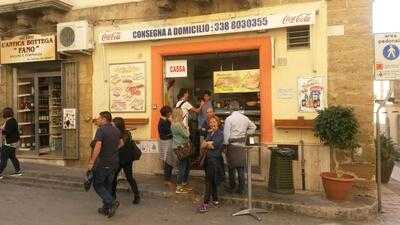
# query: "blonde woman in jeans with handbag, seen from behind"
182 149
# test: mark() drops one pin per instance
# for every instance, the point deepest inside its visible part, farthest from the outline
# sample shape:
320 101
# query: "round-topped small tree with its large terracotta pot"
338 128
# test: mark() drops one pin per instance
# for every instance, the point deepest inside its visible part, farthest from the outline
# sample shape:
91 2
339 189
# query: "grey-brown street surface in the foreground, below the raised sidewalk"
22 205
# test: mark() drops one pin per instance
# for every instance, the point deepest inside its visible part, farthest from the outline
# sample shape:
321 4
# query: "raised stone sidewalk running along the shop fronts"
305 203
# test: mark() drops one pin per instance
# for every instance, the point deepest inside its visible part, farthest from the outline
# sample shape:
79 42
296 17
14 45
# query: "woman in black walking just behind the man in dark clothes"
126 158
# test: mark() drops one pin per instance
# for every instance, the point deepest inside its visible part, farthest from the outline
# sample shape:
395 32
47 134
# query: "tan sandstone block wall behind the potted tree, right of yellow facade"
350 76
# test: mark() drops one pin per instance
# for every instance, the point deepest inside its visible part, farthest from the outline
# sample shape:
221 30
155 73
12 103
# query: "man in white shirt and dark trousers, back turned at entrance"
236 127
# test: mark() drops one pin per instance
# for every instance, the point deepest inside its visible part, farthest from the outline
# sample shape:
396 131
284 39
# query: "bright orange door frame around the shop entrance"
230 48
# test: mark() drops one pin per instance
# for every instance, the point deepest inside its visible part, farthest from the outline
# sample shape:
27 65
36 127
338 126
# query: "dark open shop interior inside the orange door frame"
206 73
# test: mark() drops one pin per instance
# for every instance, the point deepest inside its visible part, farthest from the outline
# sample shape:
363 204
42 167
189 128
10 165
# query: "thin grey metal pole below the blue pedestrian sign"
378 150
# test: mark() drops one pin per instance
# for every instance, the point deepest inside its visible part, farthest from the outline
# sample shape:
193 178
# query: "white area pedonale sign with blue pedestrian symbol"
387 60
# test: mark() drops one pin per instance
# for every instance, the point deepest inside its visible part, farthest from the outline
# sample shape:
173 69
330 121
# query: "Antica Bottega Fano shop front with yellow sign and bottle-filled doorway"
41 85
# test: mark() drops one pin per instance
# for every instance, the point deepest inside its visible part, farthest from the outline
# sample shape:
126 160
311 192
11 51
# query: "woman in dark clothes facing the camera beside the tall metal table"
212 149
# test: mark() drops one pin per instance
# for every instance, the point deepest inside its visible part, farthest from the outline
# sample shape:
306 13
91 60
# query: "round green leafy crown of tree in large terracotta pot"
337 127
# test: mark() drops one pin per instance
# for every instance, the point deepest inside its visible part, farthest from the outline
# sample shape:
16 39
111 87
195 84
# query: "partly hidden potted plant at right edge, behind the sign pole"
390 154
